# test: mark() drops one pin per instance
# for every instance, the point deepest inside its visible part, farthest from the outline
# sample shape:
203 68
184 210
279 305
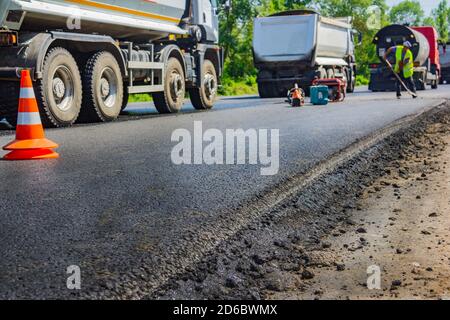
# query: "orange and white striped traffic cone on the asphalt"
30 140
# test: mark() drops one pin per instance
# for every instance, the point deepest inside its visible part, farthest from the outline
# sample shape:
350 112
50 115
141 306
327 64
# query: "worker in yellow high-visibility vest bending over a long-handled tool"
404 66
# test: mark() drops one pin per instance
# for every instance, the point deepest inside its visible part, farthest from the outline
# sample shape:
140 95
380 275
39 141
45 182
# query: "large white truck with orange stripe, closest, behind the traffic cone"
86 57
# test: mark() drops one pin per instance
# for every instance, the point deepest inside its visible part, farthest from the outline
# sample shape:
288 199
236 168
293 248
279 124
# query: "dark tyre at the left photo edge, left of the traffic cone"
9 101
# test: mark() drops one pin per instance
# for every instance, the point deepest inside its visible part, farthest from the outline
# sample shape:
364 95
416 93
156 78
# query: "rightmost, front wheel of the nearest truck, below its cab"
204 97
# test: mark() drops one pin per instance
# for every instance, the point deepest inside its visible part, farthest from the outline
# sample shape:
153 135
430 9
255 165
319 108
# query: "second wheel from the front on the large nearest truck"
172 99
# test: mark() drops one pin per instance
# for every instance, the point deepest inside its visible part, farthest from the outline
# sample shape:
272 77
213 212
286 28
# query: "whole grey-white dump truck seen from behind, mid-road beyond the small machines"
299 46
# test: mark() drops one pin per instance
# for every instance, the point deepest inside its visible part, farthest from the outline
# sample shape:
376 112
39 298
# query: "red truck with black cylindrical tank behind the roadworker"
424 40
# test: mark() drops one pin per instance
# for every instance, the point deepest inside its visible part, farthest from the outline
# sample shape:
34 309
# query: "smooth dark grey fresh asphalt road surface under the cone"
115 205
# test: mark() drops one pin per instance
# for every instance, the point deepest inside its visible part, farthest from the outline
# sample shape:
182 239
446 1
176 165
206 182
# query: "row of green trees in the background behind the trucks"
236 29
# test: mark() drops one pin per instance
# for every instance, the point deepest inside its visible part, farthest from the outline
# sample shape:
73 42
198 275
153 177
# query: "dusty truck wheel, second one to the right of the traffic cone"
103 89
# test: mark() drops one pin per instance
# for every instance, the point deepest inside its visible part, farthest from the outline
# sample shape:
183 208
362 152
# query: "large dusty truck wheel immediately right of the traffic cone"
59 92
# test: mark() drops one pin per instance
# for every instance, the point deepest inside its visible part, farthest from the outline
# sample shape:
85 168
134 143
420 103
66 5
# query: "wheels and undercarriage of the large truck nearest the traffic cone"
87 78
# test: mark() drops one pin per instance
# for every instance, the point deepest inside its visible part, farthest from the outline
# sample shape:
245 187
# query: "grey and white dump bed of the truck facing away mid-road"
306 38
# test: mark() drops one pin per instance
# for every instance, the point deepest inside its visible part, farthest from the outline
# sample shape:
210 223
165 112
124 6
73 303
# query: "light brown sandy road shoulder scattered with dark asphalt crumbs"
400 227
